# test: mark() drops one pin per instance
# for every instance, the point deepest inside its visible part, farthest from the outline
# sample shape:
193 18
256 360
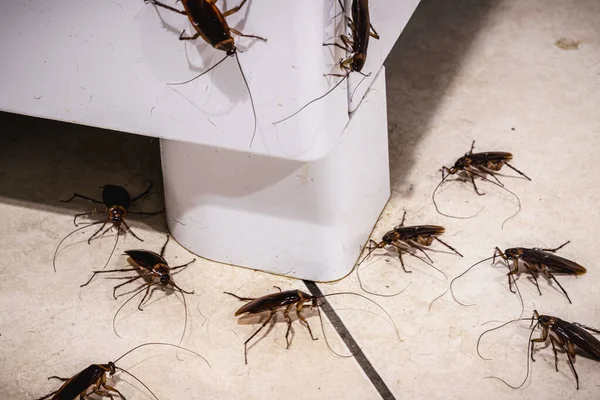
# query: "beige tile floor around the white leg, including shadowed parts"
488 71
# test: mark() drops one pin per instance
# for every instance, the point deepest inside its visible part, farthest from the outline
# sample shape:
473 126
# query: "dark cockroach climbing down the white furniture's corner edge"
362 29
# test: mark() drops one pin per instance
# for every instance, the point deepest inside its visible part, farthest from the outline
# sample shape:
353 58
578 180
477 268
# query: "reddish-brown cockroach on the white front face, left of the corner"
210 24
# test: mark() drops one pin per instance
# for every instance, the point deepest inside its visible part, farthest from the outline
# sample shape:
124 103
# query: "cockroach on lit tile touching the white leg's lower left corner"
155 270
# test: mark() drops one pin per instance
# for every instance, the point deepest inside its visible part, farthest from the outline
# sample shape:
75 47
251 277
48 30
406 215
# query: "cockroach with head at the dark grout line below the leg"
276 301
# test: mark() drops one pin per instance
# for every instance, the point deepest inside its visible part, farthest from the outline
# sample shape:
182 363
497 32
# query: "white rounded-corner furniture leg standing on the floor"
305 220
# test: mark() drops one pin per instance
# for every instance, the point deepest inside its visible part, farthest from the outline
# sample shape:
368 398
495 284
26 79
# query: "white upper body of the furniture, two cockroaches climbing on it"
107 64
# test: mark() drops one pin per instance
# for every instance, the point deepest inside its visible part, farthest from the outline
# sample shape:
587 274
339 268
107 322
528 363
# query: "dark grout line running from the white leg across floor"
348 339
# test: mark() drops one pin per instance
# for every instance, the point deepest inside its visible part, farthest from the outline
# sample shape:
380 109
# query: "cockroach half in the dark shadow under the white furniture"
116 201
